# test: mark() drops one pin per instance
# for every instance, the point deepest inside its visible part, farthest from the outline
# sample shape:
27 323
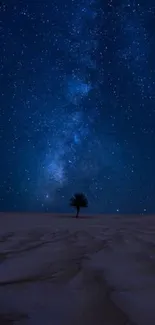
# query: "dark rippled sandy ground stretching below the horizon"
55 269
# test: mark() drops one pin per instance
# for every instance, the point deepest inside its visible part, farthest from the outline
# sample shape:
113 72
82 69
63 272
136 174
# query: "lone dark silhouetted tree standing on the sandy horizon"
78 200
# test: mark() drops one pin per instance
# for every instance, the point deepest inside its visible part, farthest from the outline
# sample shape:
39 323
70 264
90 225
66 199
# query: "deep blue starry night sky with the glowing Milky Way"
77 105
